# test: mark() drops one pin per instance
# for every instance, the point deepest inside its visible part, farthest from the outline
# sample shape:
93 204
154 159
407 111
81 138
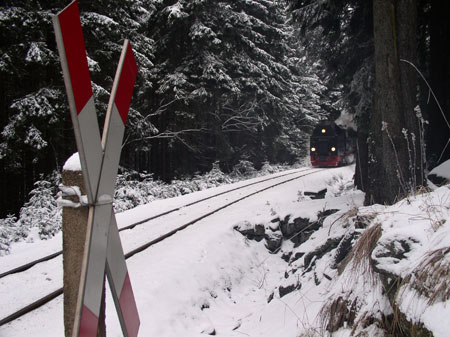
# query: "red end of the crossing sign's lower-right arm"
129 309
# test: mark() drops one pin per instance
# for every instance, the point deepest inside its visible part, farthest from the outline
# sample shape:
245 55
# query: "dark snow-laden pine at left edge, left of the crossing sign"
33 129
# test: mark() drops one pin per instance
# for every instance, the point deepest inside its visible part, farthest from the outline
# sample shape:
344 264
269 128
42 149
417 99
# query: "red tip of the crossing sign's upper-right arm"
126 84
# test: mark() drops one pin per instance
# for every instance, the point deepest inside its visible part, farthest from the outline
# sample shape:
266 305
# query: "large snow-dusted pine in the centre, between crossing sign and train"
228 85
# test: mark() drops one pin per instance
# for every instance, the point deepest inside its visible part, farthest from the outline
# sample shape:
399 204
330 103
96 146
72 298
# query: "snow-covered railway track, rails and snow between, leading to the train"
160 223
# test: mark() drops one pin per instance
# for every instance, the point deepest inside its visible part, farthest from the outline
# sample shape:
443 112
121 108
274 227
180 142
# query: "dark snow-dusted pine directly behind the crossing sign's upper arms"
106 24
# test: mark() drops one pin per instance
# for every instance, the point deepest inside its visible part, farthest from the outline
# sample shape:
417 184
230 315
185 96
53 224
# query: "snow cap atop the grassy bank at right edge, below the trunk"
414 227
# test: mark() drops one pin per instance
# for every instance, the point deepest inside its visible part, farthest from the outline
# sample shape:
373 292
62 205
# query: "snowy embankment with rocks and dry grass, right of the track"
367 271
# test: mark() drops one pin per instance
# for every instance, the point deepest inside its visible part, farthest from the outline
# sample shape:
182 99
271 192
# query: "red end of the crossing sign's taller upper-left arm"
72 34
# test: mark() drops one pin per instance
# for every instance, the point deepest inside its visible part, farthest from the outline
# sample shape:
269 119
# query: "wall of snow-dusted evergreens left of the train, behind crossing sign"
218 81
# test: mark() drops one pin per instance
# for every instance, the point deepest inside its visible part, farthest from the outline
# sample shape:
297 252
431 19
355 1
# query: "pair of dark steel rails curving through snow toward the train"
297 174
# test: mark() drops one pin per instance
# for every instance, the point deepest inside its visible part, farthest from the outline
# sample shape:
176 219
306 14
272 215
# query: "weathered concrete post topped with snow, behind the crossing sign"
74 237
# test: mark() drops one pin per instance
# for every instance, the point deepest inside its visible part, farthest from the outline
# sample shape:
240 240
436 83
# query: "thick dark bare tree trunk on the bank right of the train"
391 172
